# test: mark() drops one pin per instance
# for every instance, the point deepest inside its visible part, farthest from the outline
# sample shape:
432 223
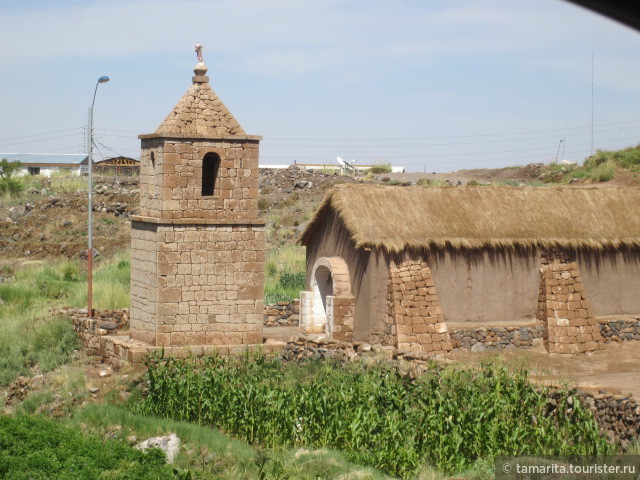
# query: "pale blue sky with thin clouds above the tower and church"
432 85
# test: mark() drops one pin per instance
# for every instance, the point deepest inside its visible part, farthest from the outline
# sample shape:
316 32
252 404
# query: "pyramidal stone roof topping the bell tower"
200 112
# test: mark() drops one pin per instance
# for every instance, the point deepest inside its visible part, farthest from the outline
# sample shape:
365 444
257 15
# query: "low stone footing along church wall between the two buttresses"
496 338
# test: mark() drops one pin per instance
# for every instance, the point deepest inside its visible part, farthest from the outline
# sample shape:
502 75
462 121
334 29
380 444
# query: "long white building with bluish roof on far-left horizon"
47 163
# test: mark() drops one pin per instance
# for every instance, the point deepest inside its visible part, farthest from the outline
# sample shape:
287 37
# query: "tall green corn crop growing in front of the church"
448 418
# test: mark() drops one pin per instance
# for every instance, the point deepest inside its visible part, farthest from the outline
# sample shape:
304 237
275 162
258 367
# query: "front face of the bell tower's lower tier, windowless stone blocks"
210 284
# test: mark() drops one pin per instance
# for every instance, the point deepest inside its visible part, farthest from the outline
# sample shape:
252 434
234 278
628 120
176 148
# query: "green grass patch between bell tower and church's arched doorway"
284 273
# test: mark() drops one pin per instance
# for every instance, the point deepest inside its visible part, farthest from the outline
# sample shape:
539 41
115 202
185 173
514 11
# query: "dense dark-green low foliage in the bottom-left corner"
33 447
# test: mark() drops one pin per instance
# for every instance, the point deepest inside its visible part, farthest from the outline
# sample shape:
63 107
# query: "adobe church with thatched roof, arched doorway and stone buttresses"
397 265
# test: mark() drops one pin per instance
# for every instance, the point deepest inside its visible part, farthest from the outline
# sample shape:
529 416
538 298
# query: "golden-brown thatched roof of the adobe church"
399 218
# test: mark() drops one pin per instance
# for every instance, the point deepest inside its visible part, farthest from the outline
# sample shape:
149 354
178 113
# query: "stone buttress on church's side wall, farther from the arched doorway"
564 308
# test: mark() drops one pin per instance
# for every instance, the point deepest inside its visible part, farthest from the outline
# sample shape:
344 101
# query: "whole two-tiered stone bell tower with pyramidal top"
197 246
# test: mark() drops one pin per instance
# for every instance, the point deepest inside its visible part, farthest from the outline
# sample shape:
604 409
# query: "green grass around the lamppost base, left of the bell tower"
29 335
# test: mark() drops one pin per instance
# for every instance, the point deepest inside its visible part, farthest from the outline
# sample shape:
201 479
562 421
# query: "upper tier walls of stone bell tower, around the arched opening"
171 184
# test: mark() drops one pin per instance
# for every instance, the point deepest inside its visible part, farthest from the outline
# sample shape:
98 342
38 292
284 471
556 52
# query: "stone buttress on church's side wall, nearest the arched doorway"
414 314
